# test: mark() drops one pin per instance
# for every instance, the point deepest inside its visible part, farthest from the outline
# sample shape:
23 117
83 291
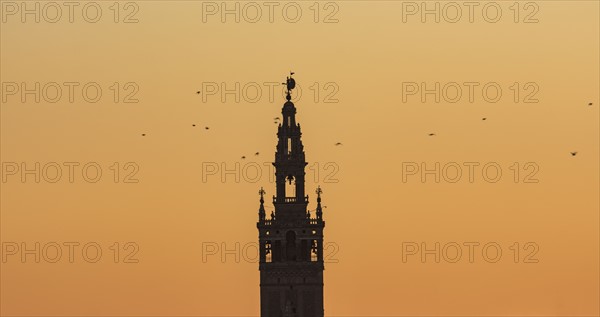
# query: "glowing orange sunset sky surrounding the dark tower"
176 209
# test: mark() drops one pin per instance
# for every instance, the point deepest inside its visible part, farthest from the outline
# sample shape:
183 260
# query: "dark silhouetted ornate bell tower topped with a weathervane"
291 240
